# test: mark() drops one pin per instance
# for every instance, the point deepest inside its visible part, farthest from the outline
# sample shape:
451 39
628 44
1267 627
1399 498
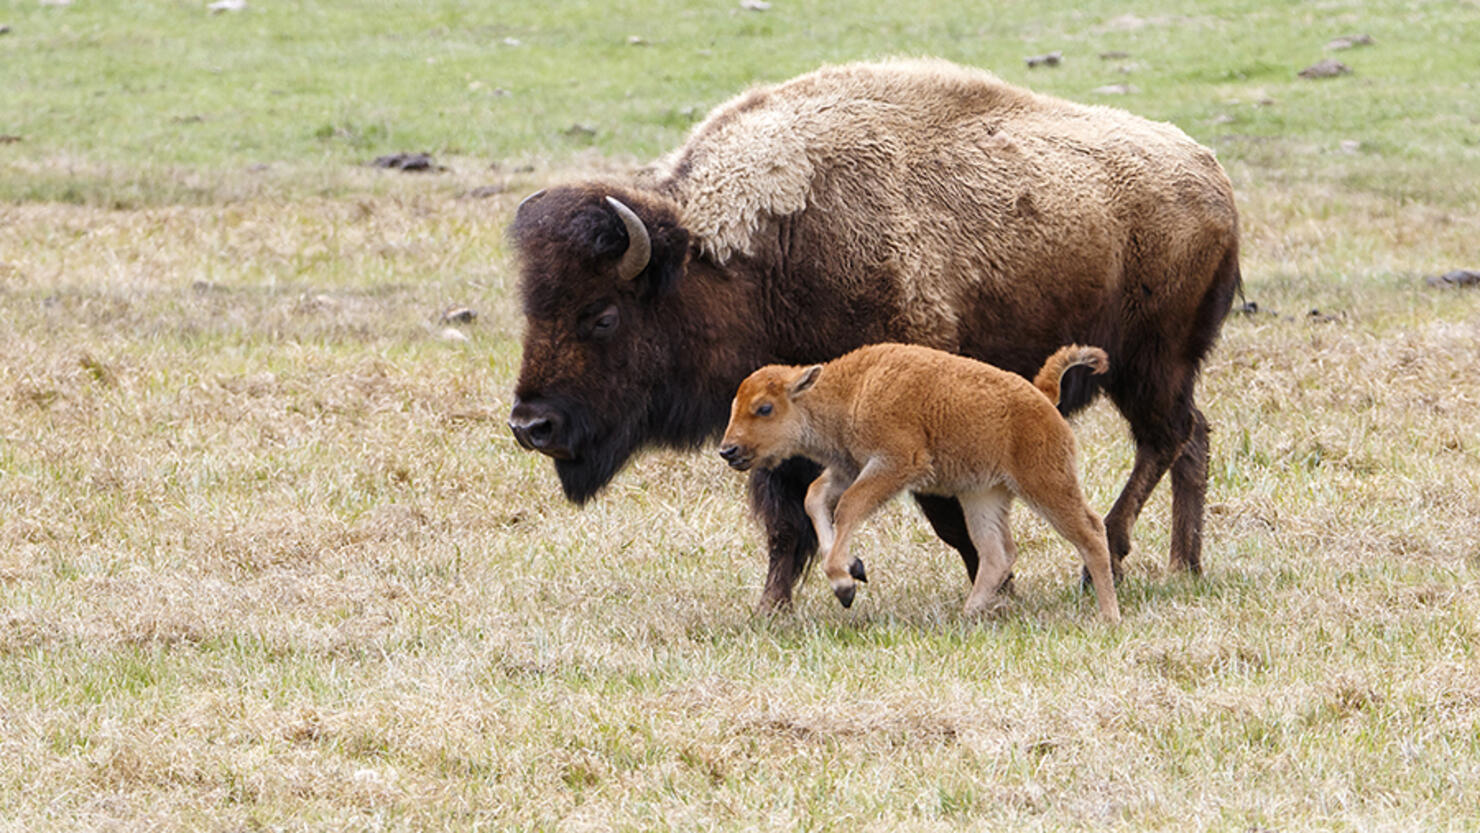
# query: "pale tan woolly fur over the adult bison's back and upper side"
1000 150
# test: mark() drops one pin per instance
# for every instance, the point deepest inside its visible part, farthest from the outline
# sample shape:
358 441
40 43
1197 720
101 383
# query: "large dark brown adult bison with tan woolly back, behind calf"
898 202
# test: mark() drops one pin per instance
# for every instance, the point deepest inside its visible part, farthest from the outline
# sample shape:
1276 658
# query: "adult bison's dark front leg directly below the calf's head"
778 498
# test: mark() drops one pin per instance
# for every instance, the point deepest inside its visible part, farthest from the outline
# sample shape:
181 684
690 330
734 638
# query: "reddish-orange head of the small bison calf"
767 422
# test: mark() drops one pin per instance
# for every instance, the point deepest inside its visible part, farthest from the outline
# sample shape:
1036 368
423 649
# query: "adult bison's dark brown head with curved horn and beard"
605 343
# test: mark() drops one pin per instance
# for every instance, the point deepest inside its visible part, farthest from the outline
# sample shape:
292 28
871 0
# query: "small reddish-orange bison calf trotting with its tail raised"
892 418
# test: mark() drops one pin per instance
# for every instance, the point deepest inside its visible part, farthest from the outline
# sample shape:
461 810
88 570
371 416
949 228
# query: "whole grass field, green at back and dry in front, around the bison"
272 561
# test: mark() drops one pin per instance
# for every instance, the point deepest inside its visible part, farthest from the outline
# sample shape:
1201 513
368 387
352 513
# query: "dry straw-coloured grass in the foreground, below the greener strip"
270 560
